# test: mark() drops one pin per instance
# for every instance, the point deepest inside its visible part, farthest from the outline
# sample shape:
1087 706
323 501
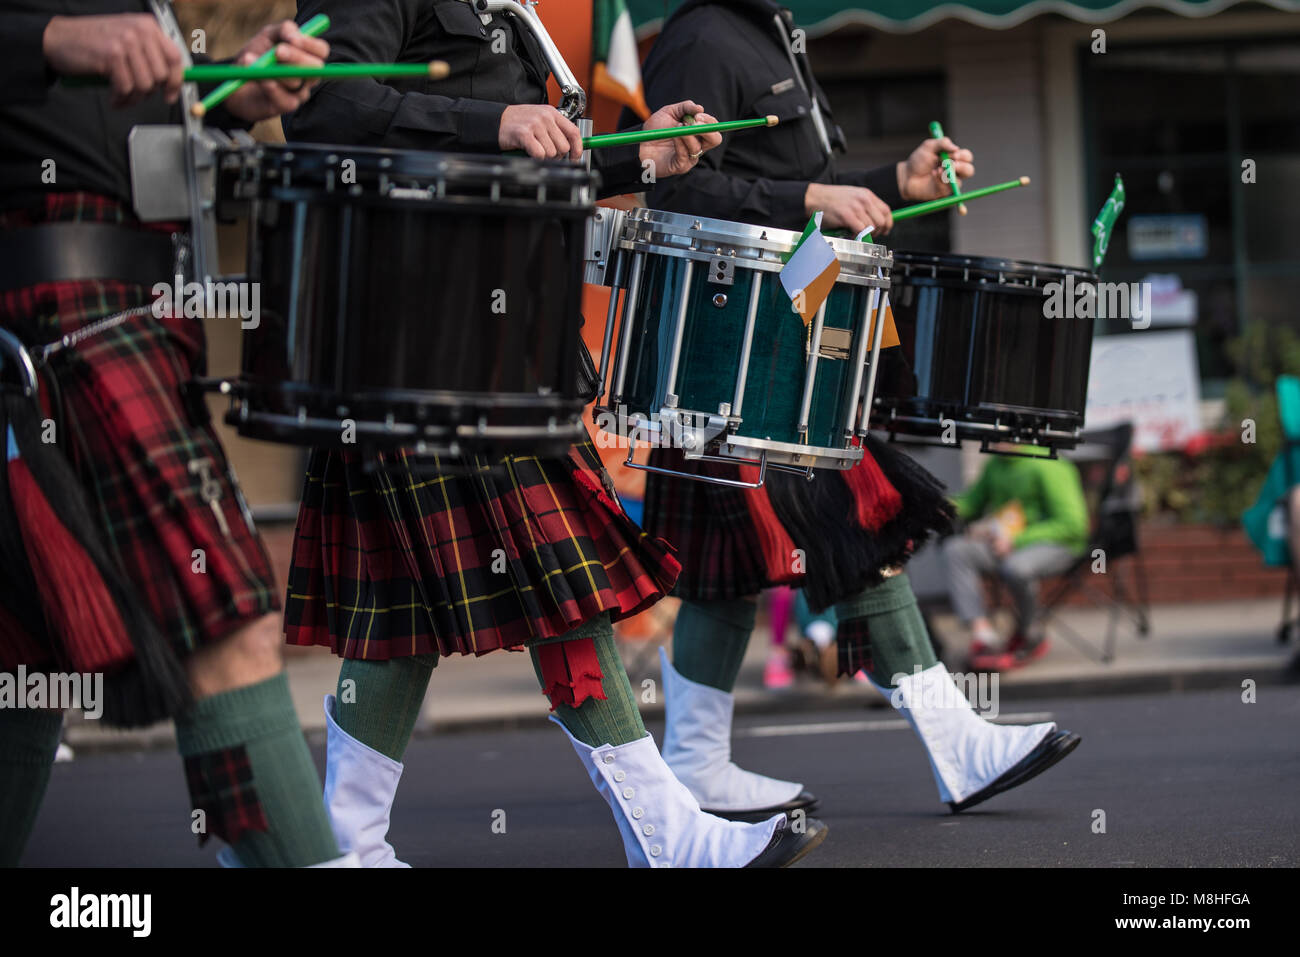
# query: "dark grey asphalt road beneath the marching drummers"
1197 780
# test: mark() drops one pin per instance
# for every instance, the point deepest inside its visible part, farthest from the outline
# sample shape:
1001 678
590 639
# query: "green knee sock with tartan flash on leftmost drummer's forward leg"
245 748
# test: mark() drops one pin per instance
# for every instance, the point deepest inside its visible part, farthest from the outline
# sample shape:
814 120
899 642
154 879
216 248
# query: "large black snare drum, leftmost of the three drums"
411 300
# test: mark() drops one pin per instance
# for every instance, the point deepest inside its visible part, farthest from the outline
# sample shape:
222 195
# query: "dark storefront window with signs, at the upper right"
1224 252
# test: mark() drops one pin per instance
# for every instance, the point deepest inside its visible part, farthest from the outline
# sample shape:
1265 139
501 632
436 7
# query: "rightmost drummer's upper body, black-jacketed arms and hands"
738 55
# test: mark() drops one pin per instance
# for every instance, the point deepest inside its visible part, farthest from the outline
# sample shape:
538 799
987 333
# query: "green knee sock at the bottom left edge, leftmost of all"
28 743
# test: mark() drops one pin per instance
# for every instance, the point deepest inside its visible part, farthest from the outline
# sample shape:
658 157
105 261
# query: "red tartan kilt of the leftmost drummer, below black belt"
144 451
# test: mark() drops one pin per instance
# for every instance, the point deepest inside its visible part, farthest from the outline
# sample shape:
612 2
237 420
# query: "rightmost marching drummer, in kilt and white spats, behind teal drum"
740 57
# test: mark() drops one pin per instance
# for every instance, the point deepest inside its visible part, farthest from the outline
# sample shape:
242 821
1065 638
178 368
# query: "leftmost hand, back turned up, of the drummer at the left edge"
129 49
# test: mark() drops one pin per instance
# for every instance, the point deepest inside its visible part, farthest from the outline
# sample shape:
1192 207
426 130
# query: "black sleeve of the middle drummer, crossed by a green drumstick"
366 111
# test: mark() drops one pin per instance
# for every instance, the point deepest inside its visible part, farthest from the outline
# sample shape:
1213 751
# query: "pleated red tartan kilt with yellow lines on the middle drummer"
467 560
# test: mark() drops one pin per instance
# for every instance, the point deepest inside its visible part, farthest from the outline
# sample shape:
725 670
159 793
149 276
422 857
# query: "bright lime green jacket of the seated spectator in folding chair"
1048 491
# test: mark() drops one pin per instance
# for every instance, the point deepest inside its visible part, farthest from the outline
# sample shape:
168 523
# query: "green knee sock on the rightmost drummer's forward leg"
885 625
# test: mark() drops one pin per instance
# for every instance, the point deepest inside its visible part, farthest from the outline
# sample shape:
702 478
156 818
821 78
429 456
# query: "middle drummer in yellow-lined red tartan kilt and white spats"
393 569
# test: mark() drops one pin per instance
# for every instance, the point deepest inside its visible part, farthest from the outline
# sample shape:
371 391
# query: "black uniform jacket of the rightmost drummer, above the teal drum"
734 59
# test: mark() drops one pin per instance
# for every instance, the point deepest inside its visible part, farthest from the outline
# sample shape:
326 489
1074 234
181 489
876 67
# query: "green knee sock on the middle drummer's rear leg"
379 703
